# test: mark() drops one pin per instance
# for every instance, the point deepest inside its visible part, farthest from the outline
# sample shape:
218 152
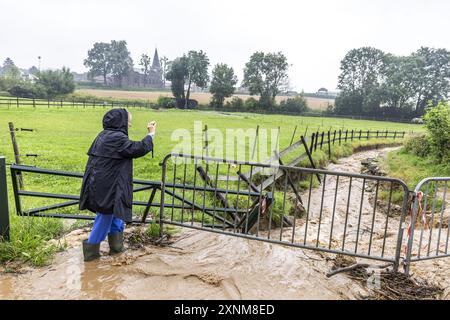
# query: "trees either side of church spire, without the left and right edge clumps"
265 75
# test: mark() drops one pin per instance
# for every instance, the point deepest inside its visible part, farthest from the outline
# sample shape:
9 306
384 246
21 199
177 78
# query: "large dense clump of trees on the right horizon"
376 83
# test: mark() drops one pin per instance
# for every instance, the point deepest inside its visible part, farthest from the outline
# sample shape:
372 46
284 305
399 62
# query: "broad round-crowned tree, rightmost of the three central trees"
265 74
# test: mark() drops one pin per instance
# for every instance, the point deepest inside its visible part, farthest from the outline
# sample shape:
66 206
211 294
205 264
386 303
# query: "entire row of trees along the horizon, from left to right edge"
371 82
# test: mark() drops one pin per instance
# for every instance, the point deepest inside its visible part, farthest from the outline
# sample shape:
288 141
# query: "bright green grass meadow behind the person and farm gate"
62 137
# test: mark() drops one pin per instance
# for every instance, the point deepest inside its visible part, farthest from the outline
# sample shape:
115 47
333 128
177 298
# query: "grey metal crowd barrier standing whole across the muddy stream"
339 217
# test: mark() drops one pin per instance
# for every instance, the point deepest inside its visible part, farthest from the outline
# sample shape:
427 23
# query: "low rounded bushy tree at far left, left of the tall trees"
56 82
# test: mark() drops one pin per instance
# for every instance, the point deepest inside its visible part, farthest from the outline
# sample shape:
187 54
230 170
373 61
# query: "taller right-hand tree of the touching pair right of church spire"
197 71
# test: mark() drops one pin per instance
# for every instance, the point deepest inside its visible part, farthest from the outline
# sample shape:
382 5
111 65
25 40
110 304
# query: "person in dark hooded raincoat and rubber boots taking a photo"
107 187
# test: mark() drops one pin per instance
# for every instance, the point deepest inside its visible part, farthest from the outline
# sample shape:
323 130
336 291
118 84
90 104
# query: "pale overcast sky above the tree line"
314 35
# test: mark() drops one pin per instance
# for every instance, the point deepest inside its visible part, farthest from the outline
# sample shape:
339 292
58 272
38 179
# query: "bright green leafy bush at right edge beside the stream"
437 121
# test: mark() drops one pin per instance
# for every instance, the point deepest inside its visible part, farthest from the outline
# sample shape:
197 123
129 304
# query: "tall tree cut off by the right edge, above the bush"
432 82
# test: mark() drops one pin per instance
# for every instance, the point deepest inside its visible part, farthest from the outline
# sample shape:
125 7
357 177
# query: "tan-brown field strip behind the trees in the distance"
202 98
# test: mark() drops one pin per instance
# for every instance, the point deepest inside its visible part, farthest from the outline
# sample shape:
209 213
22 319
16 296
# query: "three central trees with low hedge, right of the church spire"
265 75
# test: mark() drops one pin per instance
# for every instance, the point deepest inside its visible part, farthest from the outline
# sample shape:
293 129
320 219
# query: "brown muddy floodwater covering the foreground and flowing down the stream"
203 265
